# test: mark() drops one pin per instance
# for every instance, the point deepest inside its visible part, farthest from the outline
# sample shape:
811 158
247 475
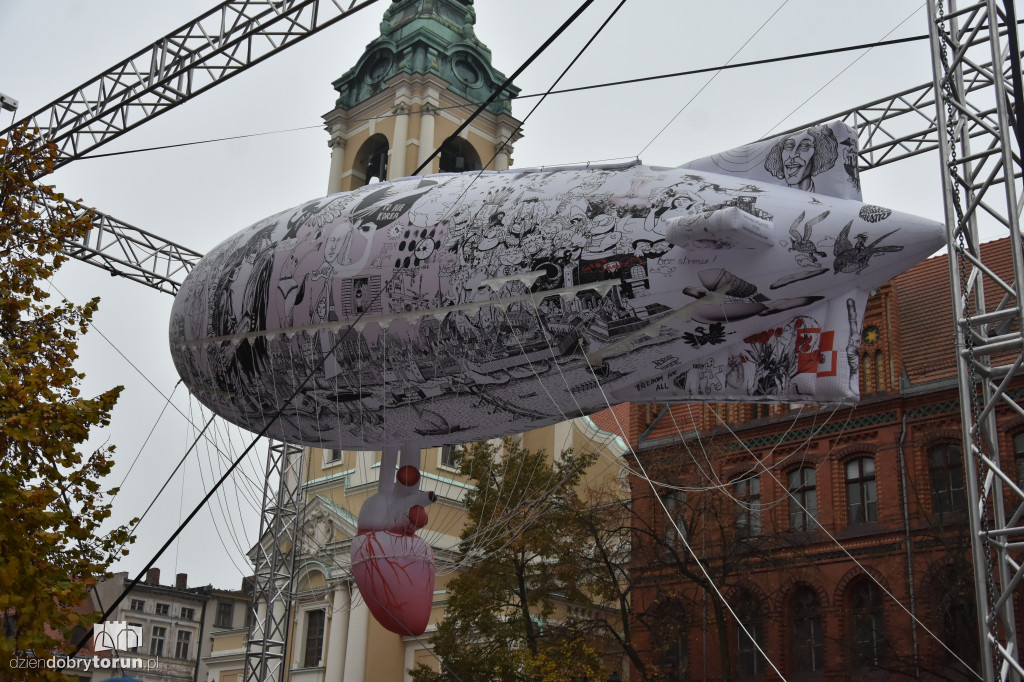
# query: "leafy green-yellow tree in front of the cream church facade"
520 523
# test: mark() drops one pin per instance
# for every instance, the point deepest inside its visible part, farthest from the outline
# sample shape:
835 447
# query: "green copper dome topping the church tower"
426 37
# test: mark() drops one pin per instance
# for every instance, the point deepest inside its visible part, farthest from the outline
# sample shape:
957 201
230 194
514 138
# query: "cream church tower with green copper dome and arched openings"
409 93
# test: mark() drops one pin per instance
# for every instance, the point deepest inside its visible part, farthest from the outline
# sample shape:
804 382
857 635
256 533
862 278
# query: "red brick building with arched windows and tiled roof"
790 507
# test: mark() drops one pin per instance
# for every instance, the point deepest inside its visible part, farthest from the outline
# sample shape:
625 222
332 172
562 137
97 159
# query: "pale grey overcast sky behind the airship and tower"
198 196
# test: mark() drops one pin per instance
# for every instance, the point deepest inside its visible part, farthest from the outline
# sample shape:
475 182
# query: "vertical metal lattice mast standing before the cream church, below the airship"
267 647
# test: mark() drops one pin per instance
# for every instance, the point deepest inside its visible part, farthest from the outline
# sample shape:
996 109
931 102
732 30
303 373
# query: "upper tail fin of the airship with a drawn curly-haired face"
821 159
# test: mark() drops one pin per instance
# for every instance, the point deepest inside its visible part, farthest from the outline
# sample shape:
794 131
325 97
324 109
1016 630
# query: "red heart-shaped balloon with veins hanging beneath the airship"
396 576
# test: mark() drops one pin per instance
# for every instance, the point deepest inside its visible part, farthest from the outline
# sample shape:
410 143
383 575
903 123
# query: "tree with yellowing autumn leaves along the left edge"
52 503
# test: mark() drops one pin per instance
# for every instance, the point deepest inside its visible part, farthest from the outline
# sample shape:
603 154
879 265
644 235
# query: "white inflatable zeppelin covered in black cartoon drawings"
458 308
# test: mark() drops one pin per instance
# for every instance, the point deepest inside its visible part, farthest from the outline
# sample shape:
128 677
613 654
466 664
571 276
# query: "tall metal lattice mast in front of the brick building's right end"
980 150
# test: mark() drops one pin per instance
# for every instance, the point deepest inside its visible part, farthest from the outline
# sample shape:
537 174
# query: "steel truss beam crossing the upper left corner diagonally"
208 51
